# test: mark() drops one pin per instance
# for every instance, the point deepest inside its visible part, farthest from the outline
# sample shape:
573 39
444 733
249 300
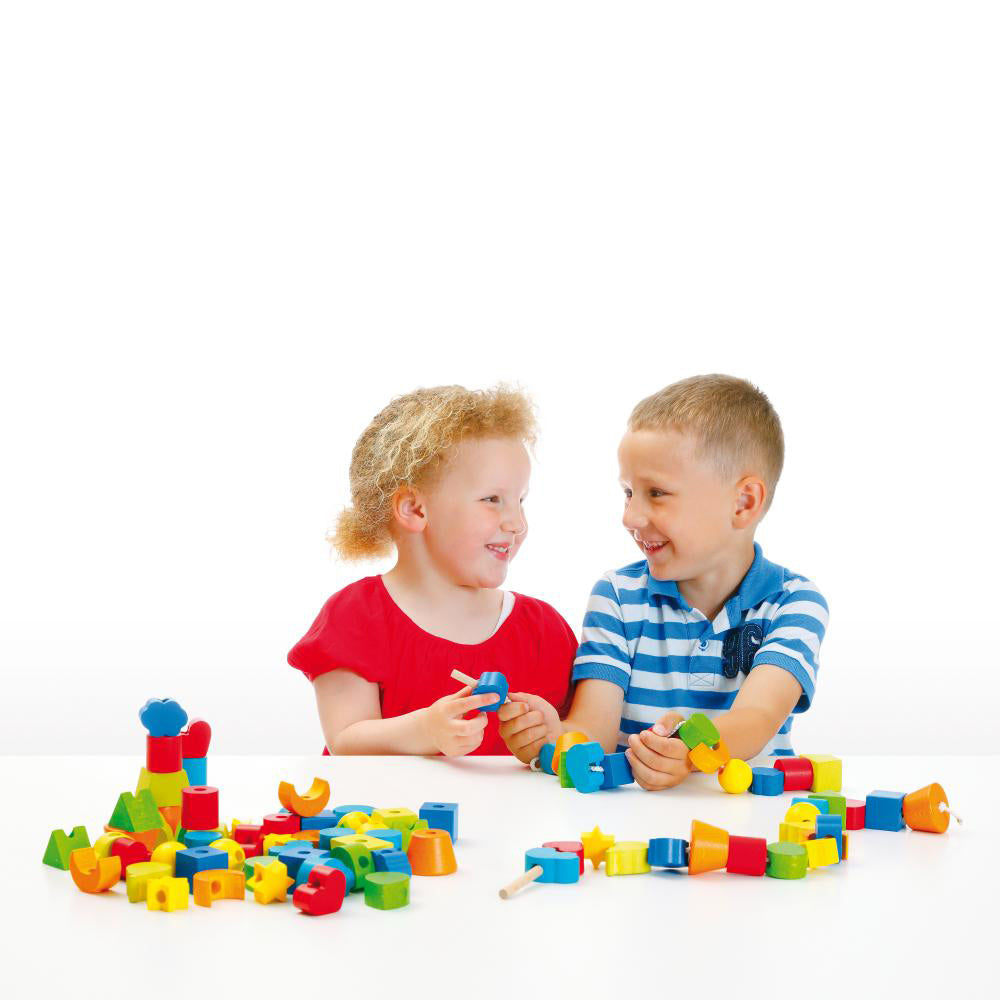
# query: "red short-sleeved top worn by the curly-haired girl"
362 629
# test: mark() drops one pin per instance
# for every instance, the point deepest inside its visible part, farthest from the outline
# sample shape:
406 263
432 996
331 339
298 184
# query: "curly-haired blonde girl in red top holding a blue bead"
440 475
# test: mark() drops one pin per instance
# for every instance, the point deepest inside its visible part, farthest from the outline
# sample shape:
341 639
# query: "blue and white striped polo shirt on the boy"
640 633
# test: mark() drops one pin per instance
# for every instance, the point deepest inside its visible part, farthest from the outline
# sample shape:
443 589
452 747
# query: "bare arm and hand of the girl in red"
351 718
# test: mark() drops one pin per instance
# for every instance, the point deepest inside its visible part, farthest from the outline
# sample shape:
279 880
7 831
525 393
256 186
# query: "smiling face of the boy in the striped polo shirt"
677 507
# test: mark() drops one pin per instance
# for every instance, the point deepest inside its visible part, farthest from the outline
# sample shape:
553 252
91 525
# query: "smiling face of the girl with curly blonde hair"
475 511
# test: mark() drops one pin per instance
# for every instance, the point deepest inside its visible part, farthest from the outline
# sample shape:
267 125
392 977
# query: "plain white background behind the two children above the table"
229 234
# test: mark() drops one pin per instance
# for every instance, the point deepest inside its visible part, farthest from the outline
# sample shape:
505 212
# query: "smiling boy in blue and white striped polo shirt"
702 622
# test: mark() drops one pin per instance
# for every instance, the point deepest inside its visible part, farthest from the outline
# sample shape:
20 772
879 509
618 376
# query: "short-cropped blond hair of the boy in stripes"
736 428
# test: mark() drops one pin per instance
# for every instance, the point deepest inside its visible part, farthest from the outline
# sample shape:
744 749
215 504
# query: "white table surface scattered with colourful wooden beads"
909 914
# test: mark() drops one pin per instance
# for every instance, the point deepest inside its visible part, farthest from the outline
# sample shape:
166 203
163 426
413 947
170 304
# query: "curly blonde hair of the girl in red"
409 443
